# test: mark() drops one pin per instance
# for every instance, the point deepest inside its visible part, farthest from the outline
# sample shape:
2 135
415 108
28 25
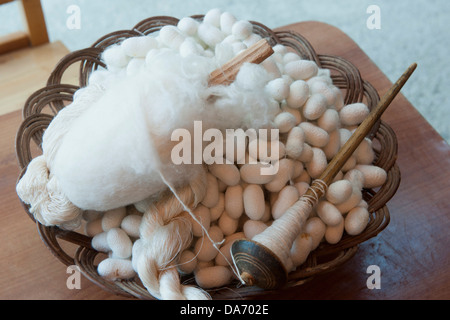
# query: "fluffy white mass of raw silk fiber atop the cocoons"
107 155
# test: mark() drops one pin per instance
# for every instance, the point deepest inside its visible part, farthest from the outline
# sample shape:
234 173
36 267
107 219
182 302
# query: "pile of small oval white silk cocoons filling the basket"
240 202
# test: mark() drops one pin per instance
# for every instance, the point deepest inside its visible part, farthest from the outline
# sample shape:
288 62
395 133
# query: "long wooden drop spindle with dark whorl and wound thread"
261 263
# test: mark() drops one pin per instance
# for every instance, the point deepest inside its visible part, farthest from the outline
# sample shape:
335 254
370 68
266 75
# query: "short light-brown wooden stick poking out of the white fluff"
257 53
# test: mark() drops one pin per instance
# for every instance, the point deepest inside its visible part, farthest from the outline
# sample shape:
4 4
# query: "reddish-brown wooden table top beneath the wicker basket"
412 252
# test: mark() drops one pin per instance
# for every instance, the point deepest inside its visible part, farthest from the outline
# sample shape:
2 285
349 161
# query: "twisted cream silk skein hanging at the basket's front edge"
165 233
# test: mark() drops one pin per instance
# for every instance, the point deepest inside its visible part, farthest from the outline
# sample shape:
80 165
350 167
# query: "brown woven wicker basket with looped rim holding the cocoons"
55 95
